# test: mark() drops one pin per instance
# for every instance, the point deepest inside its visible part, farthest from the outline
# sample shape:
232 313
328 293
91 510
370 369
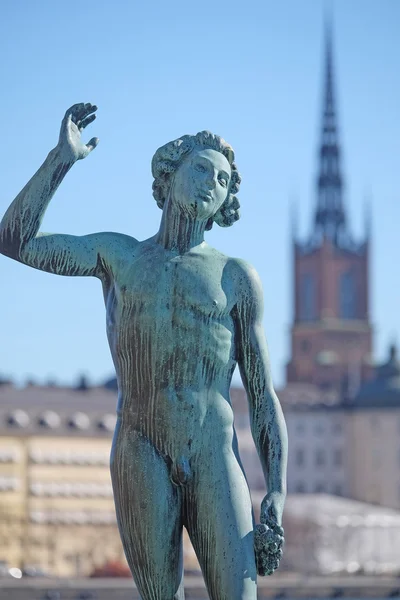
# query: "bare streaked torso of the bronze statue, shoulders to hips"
171 334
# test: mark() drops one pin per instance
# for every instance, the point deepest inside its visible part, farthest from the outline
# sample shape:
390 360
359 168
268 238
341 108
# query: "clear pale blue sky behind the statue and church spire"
249 71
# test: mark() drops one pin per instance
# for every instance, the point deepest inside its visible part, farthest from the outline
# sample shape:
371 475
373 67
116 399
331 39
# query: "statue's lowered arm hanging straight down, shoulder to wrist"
266 417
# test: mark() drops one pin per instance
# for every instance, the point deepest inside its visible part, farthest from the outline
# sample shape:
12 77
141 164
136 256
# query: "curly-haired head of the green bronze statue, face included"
200 173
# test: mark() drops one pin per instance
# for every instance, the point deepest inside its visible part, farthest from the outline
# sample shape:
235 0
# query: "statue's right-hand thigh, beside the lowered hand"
220 525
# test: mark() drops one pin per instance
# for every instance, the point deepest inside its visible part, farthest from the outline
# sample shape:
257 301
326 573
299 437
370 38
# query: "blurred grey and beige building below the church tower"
351 448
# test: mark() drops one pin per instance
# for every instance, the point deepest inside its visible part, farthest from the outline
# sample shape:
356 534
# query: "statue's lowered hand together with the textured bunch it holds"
269 535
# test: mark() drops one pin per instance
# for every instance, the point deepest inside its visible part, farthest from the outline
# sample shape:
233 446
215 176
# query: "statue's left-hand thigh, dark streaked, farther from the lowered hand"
148 510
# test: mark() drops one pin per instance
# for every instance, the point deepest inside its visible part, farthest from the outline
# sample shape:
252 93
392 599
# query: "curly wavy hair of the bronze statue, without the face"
167 159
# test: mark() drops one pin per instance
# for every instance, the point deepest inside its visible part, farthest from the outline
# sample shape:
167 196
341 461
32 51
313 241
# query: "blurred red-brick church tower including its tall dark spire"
331 336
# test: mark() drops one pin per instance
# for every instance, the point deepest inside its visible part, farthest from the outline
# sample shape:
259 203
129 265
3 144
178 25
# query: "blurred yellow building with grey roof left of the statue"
56 503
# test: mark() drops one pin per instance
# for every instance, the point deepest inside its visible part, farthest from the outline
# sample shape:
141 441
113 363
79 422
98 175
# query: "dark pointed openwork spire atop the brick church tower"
329 215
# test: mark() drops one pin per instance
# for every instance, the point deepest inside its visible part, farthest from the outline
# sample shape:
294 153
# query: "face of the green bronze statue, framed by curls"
201 182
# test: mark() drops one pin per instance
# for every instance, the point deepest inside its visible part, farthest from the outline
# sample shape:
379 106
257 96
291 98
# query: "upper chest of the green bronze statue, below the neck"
179 284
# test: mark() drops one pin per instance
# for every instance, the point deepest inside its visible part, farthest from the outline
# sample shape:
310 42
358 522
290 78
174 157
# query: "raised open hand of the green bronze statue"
76 119
